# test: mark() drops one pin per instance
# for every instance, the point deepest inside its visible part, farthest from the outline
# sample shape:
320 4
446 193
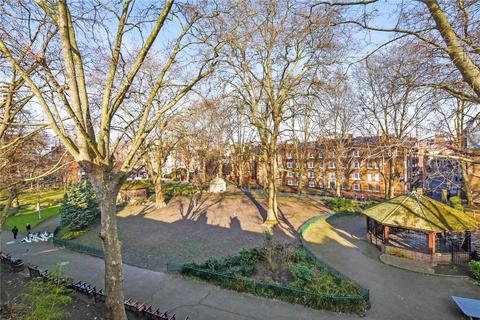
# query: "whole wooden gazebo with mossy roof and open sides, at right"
418 227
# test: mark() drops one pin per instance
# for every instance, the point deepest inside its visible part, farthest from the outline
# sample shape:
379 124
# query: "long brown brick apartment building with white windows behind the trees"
363 163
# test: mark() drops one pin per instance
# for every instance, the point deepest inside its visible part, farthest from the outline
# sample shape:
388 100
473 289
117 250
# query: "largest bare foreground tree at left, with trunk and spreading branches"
88 105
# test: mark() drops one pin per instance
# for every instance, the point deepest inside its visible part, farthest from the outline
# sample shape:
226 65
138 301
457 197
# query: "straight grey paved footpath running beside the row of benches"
185 297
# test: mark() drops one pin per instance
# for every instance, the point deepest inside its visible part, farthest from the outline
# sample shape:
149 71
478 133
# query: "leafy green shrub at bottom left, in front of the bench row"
46 300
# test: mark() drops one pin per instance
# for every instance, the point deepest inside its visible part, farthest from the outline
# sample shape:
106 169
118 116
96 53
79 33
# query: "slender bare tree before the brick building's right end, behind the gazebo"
393 104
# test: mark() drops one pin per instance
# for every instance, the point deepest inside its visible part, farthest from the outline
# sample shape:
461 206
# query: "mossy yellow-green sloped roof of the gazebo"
418 212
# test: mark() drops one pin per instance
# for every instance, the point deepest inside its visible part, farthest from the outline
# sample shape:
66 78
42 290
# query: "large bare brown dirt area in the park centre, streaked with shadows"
197 227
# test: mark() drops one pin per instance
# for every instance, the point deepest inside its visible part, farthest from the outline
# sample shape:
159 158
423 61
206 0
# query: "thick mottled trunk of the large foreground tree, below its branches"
106 190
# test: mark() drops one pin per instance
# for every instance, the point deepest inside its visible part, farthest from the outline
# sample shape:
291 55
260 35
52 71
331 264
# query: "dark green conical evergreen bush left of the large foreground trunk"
79 208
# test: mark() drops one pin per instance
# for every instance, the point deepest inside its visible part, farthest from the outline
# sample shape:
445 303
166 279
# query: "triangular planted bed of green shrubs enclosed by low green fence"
285 272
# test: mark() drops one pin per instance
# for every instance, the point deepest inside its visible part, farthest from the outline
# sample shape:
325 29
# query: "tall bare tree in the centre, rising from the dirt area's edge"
274 48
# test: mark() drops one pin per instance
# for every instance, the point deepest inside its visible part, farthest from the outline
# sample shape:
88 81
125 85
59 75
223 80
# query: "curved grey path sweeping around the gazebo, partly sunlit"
394 293
